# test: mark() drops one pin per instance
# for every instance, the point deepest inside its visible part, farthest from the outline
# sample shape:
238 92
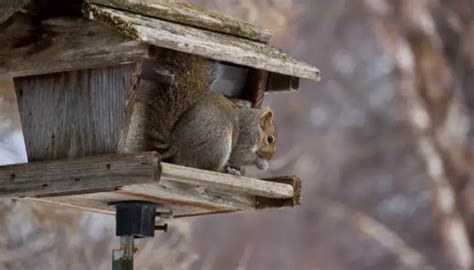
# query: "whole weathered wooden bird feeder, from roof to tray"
74 66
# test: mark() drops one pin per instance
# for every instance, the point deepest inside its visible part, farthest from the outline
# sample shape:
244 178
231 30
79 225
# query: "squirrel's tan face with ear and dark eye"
269 136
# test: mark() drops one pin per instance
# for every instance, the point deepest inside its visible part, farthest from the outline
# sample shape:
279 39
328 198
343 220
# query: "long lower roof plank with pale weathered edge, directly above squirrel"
201 42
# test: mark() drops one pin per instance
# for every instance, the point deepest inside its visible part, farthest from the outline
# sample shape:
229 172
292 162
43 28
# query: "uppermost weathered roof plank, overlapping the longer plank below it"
187 14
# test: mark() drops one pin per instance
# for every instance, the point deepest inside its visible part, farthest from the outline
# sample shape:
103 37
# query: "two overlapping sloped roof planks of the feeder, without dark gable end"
185 28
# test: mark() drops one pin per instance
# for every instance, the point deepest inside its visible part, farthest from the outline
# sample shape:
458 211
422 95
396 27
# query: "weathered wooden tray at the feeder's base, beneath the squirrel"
124 177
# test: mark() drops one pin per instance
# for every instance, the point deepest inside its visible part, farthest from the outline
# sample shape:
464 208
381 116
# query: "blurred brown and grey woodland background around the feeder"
383 144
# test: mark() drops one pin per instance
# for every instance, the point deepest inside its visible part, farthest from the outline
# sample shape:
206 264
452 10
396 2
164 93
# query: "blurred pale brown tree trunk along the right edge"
432 47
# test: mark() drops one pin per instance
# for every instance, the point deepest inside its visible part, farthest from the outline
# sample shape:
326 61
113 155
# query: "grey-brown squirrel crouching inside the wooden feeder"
192 126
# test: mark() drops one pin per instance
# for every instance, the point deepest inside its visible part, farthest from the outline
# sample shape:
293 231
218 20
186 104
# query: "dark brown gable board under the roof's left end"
62 44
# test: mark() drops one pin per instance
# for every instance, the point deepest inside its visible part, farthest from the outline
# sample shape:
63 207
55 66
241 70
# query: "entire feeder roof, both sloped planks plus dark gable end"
124 34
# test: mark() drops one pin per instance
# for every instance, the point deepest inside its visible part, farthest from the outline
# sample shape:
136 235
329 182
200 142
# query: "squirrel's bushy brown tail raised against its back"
169 86
